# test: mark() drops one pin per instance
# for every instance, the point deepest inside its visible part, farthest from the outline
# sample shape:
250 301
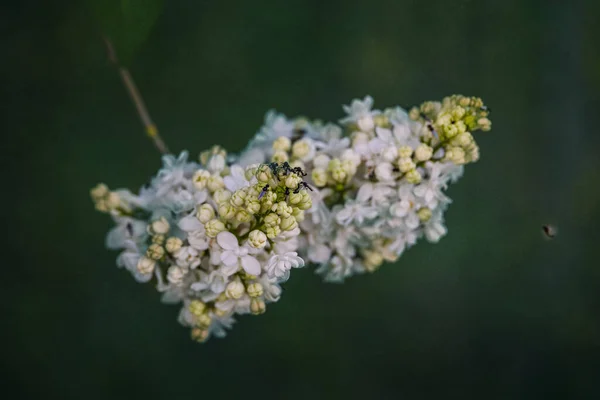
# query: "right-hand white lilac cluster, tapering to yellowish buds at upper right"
379 176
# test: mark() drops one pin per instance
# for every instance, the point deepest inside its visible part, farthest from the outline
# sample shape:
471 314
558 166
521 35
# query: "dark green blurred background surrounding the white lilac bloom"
493 311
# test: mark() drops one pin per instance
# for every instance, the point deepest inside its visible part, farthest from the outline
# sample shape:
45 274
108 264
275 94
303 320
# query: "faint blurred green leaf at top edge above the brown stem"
127 23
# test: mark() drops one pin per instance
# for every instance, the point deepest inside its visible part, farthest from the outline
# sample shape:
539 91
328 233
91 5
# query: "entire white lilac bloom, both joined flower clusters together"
221 235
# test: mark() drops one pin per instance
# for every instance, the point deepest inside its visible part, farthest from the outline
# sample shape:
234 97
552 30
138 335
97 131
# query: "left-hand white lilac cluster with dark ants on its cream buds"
217 238
